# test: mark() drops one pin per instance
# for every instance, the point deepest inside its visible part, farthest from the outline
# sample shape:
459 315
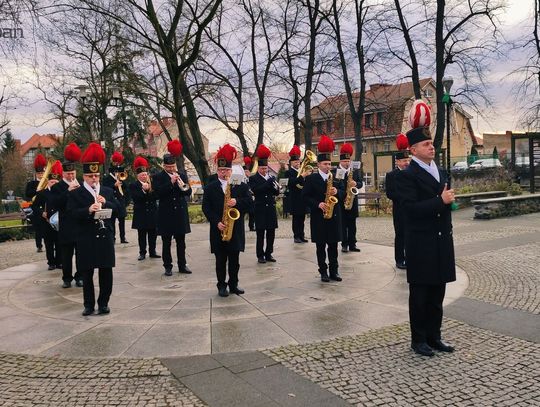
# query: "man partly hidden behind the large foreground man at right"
391 182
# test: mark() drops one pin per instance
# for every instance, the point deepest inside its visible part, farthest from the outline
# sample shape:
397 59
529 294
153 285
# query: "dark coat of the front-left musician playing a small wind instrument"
95 246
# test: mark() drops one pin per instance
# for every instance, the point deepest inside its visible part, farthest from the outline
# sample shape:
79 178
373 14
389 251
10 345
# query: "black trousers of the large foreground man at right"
425 311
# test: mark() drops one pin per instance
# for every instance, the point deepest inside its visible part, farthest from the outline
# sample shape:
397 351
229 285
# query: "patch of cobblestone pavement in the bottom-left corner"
36 381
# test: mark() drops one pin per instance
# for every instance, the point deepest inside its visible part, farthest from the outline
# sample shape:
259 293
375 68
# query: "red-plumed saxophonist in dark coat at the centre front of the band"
213 205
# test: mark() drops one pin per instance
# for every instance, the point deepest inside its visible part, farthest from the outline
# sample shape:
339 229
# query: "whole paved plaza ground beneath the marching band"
290 340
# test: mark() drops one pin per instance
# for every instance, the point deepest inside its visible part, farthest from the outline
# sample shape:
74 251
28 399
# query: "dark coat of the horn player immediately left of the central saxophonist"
172 211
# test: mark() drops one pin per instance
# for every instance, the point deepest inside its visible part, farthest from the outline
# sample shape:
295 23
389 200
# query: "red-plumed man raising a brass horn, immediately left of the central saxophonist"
172 188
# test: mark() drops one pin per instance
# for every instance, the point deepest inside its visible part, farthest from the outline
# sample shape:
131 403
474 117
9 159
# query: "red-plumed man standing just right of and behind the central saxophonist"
265 189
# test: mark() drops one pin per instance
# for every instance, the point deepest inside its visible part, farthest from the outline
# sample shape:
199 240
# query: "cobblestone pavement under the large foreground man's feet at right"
378 368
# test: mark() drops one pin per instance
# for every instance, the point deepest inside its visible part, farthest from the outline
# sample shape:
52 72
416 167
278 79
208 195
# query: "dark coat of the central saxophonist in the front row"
213 201
